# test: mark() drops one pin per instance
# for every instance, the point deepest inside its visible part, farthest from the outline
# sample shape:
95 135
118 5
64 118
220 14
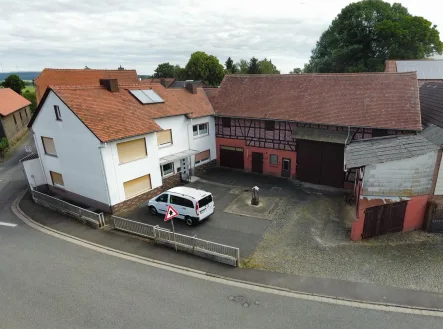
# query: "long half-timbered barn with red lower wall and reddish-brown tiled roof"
296 126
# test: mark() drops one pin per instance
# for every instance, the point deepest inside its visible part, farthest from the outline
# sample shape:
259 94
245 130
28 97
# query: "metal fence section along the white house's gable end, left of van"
48 201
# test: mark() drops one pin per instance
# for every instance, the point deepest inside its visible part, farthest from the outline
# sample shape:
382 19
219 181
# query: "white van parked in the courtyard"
192 205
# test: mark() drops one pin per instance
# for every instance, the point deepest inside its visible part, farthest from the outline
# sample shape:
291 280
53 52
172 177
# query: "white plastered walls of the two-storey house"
92 169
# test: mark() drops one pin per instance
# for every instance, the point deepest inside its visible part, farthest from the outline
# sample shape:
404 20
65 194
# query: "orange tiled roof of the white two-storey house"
117 115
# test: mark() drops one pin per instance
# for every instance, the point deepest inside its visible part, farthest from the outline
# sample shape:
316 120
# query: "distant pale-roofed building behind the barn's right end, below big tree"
428 70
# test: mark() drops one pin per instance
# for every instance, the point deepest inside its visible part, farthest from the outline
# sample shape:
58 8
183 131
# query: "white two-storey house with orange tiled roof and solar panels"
113 146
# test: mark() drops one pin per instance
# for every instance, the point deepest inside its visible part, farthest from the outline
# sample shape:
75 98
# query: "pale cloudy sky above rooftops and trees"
140 34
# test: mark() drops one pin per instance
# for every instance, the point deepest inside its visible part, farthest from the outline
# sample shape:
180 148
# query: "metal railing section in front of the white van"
203 248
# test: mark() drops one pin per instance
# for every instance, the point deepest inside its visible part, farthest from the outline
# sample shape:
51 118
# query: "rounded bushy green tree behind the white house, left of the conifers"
202 66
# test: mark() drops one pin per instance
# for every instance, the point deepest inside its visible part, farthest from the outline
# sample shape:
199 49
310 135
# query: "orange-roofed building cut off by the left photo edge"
15 114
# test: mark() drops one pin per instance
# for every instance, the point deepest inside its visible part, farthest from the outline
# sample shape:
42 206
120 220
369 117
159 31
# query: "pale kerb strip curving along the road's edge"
222 280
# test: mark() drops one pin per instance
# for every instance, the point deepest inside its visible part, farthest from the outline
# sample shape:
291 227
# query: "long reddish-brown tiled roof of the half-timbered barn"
379 100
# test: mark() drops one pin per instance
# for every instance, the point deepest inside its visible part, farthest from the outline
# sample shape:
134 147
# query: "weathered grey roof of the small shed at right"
383 149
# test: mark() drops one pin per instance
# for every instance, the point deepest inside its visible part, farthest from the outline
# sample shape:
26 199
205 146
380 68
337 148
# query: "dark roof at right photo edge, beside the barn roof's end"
431 103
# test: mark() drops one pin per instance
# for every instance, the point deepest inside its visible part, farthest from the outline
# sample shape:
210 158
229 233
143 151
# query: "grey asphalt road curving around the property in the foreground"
46 282
